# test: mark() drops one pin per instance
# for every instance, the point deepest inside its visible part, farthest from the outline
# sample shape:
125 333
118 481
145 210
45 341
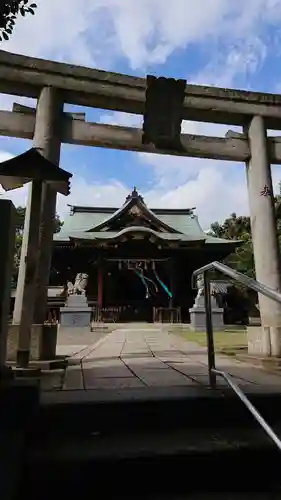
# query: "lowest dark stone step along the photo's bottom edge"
144 464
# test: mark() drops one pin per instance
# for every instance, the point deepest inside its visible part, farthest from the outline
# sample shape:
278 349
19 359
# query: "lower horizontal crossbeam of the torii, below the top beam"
80 132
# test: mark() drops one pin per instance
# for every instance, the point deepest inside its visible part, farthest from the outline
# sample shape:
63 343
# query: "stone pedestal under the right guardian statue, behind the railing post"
198 315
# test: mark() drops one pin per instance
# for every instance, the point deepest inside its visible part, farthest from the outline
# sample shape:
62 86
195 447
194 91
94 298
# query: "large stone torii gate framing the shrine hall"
164 103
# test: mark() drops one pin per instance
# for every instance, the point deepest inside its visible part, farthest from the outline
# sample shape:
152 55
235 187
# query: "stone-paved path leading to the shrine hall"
151 357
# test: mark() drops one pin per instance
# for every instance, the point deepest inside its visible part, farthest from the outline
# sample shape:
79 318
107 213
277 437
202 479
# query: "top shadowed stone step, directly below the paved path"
150 408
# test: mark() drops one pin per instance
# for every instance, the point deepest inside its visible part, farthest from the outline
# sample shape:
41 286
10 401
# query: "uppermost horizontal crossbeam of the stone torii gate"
26 76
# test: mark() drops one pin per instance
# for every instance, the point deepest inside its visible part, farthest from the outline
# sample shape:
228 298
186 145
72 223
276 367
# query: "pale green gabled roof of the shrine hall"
134 220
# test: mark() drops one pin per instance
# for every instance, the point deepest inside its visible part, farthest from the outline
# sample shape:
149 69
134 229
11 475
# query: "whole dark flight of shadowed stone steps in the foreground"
151 444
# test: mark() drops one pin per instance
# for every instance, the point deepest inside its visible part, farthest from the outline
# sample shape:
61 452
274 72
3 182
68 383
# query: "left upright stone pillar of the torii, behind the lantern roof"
47 138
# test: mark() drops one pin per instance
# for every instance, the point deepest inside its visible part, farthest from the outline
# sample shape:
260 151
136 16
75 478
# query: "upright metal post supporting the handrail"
209 331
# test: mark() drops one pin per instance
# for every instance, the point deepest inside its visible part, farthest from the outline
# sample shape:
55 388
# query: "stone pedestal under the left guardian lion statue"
76 312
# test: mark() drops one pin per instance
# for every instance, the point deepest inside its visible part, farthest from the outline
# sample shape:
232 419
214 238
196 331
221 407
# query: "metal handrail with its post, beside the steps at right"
213 372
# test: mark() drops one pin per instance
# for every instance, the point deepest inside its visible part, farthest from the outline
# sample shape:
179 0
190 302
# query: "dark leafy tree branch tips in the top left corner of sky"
9 11
